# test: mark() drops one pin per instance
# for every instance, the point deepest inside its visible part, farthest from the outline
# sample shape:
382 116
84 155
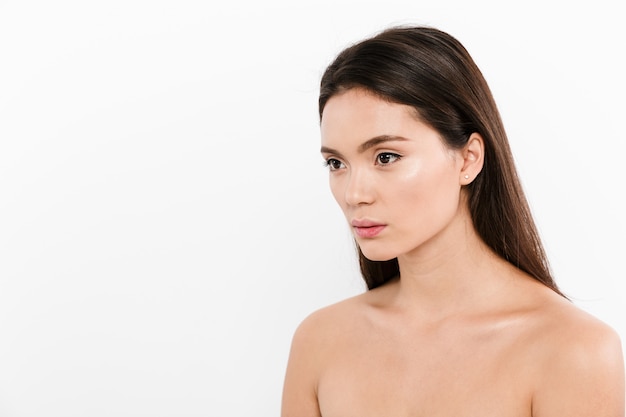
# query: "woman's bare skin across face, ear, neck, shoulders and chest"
462 332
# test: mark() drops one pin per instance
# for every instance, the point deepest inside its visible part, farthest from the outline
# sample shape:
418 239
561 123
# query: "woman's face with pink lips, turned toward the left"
397 183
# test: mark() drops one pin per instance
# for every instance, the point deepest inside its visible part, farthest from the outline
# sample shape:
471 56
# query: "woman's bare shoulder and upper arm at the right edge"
580 363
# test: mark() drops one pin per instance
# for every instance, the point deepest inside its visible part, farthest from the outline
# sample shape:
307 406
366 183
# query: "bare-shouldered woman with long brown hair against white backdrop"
462 316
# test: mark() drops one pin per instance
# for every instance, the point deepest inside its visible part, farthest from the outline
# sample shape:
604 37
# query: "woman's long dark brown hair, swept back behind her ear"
431 71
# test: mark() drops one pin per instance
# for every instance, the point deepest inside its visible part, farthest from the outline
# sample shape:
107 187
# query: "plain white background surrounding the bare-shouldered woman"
165 221
